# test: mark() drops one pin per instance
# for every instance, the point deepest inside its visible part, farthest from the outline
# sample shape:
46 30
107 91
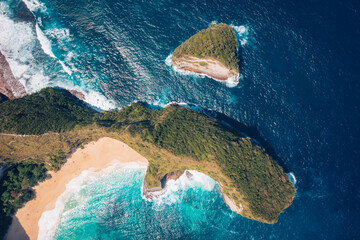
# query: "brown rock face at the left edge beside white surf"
9 85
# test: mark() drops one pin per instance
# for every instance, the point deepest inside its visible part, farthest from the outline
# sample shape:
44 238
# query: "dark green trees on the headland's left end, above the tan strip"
49 110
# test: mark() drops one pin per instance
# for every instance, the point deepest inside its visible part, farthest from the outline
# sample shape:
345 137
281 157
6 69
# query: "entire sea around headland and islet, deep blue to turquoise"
299 88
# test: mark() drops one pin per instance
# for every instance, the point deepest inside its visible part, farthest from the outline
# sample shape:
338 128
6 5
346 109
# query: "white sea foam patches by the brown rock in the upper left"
17 43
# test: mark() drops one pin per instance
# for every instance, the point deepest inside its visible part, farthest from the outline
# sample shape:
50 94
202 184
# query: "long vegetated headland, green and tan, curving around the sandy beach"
172 139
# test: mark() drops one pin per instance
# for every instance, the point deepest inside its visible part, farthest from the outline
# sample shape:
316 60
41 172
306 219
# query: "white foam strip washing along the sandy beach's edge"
50 219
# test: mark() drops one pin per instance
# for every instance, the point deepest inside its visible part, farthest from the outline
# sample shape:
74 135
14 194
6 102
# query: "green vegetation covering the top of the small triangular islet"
217 42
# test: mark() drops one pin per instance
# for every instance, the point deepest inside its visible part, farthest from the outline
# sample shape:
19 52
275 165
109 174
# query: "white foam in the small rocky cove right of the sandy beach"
190 179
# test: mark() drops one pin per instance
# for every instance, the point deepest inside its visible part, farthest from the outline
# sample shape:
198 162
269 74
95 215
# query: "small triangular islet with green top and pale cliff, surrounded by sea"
212 51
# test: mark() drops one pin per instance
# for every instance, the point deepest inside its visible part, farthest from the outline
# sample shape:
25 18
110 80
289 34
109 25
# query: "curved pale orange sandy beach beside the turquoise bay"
95 156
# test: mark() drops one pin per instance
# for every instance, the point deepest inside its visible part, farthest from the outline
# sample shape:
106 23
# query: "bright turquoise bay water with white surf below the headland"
109 205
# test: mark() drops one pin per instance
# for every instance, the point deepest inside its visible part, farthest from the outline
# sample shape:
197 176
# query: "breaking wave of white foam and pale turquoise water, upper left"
51 67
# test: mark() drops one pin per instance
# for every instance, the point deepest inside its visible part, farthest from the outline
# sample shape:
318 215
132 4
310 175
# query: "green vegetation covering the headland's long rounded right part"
258 180
